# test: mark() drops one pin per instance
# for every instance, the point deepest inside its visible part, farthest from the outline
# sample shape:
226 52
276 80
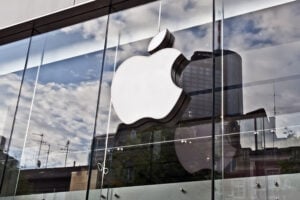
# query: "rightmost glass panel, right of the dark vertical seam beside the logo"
260 146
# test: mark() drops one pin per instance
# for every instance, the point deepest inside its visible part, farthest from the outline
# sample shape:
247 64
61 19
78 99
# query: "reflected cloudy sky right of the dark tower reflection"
268 42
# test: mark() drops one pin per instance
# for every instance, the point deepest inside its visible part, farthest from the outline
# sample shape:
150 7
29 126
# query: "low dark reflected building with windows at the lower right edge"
271 161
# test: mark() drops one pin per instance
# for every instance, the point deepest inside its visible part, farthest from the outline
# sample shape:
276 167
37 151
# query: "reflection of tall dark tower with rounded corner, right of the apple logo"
197 82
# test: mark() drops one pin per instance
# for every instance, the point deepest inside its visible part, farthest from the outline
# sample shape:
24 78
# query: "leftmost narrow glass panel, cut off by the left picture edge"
12 63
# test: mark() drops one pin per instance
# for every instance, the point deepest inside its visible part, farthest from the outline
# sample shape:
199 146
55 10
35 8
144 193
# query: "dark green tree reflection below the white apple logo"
147 157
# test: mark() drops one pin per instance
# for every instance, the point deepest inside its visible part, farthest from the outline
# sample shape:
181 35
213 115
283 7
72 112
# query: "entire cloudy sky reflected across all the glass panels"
65 101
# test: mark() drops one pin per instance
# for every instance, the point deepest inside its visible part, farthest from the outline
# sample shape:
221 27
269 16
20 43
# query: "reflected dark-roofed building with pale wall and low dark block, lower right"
248 152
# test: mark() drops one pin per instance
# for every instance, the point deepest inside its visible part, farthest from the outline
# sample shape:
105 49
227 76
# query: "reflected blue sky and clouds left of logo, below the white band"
63 109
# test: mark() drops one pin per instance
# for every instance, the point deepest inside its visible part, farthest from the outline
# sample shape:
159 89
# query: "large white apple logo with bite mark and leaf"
145 88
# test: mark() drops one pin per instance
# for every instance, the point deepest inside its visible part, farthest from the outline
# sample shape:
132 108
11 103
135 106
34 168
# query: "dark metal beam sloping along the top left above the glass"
65 18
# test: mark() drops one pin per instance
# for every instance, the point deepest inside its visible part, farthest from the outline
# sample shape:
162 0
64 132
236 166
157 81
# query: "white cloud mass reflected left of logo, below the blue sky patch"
61 112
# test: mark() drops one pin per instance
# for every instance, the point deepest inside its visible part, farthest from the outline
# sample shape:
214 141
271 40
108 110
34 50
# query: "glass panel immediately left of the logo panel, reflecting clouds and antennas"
56 116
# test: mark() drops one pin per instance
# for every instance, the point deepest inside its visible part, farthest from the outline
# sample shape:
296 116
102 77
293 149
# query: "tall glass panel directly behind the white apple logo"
170 154
